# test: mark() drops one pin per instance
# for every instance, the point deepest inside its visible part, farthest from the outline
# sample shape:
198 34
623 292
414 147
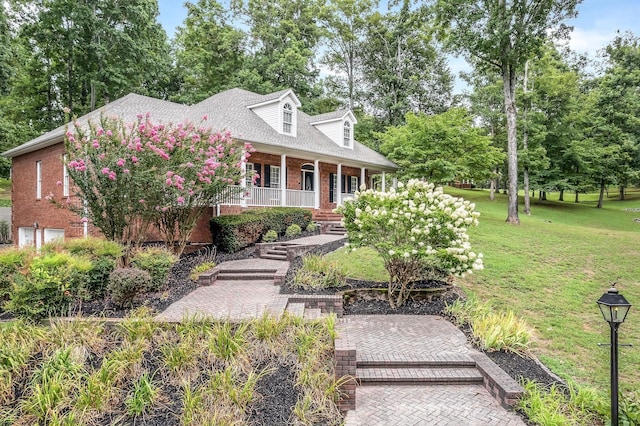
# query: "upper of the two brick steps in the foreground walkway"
444 360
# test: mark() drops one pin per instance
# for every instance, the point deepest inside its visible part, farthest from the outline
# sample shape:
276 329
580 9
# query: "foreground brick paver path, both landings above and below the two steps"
401 336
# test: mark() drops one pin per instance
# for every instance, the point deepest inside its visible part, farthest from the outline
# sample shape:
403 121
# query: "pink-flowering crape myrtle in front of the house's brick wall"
128 176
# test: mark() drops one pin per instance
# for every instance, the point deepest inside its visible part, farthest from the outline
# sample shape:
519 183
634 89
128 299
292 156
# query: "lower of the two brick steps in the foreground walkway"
418 376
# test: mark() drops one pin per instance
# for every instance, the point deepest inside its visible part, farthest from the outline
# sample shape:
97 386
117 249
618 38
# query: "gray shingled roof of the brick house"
228 111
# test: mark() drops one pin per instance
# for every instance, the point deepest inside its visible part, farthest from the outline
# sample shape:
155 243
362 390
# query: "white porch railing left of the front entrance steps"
257 196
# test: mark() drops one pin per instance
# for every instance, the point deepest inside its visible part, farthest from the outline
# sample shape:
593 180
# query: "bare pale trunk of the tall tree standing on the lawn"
509 87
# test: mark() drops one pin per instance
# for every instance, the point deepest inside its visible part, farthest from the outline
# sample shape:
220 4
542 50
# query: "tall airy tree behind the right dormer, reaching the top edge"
403 69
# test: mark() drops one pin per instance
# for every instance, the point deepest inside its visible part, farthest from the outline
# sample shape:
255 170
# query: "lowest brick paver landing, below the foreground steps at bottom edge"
455 405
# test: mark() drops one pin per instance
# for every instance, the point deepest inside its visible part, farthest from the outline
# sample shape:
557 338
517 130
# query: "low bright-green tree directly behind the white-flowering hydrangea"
441 148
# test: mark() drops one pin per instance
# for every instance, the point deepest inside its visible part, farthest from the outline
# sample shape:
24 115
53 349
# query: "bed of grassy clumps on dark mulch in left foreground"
266 371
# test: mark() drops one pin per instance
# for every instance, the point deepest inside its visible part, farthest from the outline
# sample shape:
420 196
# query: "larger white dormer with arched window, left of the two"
280 111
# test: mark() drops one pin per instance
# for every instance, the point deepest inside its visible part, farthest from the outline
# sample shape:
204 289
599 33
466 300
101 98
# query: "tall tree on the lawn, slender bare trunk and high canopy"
503 34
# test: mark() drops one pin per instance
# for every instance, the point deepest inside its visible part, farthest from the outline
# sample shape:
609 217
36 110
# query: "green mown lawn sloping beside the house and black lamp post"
550 270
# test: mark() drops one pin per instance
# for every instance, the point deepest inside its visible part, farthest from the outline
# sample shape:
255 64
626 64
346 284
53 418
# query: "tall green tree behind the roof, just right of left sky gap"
209 52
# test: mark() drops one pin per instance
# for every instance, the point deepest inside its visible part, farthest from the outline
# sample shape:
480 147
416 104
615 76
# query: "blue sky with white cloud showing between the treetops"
594 28
